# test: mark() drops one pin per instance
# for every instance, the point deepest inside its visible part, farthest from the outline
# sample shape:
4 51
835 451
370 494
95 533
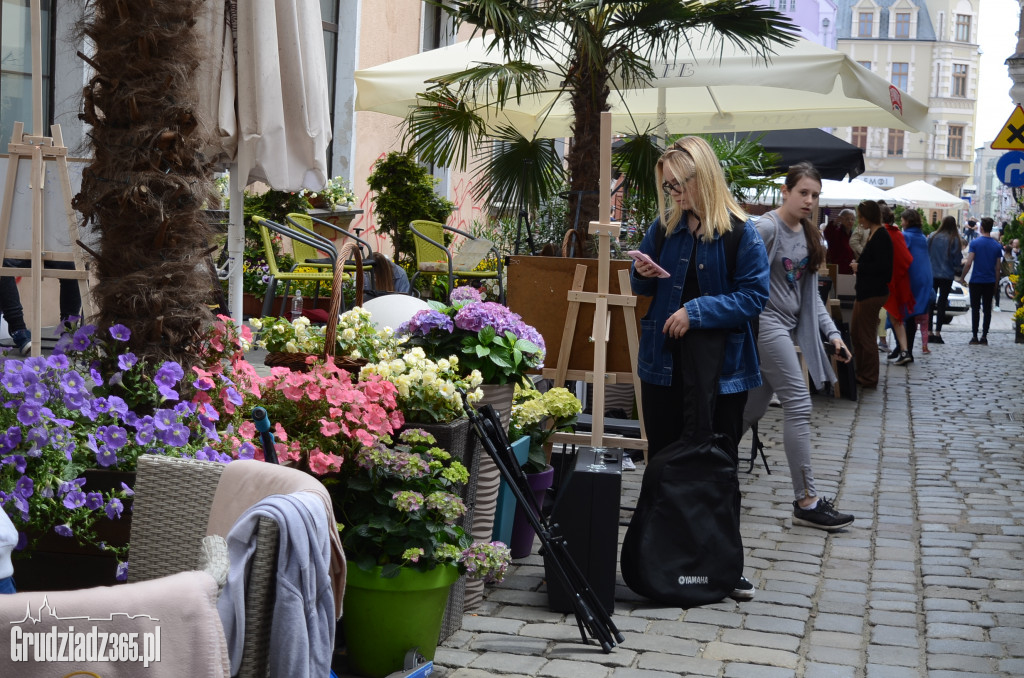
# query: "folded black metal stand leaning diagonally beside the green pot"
590 614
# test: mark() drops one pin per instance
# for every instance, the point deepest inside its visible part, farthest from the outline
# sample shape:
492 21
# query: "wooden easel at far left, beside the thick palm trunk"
39 150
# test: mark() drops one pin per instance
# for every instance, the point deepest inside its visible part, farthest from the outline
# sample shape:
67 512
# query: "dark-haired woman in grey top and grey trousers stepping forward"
796 317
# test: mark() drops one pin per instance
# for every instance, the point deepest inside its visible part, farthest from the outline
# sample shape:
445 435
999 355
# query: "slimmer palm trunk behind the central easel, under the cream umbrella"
590 100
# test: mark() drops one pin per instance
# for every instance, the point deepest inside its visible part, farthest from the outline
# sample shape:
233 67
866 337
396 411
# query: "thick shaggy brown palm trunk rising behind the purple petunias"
144 192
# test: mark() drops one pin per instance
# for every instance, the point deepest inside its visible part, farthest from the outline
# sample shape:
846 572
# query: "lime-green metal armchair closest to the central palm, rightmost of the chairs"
434 259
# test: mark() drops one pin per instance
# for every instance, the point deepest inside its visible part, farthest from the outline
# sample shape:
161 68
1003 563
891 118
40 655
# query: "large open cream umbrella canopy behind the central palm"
707 91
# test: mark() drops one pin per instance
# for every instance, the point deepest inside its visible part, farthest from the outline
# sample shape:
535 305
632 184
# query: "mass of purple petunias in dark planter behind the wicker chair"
74 425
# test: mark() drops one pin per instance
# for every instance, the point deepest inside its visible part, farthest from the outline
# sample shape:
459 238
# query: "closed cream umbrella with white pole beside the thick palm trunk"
265 90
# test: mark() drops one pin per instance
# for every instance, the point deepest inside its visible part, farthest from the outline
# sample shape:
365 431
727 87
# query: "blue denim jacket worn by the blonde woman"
723 305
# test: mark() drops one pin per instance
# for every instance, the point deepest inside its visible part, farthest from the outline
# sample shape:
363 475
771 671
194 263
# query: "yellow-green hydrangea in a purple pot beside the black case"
539 416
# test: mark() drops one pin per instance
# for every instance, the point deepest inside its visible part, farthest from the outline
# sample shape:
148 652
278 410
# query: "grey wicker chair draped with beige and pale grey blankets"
163 544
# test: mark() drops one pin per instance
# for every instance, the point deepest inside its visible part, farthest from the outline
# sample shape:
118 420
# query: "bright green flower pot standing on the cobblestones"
387 618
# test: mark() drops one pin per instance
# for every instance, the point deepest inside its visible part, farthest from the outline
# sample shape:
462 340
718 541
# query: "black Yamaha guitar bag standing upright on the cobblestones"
684 545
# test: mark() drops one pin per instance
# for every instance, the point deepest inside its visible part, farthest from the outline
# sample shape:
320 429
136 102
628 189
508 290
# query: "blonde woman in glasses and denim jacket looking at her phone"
717 280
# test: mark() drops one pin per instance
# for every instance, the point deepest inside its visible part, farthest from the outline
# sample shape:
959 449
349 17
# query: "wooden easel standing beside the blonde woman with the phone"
604 303
